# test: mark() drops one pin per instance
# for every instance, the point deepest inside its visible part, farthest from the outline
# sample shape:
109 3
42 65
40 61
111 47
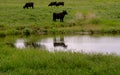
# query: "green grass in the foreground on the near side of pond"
40 62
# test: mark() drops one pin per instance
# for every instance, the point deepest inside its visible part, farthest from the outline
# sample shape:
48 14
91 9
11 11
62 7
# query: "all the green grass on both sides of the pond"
95 16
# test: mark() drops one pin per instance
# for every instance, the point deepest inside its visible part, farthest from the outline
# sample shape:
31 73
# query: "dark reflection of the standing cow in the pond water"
59 42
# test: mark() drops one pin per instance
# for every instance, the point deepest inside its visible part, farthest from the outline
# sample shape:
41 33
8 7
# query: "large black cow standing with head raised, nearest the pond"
59 15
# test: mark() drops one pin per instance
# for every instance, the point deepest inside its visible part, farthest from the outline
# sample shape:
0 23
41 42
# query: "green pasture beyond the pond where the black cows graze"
83 15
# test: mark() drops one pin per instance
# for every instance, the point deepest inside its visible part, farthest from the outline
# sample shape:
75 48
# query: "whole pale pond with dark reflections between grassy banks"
75 43
